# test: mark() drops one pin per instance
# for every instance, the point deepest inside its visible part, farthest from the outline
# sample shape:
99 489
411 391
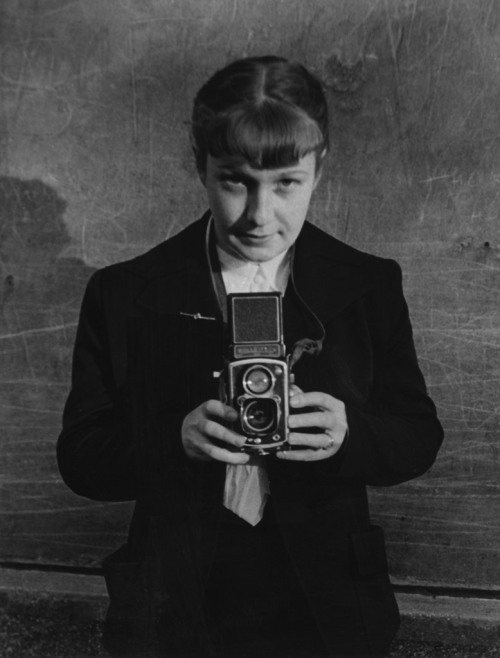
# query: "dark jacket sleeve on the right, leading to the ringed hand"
395 436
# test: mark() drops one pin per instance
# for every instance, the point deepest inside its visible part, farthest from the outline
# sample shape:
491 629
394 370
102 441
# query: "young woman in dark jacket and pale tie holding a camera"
228 554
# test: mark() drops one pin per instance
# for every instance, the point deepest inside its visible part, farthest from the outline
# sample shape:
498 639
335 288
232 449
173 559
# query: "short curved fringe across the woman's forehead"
267 136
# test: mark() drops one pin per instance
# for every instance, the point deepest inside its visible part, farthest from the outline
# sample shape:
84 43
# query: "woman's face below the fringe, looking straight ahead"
258 213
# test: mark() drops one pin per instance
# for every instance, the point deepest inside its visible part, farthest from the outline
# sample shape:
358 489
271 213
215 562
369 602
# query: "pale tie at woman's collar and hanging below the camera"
247 486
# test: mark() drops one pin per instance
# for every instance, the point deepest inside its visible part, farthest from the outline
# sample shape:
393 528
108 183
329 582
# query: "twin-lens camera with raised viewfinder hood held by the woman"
256 377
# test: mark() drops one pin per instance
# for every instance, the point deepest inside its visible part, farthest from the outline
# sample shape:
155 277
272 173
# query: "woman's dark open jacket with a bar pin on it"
142 362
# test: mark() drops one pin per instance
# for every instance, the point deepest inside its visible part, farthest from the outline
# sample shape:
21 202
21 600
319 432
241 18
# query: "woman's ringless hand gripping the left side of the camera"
202 425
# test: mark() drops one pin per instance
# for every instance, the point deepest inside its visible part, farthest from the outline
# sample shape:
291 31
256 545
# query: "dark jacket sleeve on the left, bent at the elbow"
96 454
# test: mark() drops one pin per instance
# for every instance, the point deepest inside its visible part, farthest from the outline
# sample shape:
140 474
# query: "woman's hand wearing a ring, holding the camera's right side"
328 415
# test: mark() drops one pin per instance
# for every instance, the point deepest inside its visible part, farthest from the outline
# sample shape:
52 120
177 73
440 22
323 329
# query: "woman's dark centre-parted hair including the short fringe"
265 110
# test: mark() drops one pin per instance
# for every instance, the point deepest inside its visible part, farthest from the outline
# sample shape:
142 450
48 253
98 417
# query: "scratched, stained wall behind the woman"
96 167
